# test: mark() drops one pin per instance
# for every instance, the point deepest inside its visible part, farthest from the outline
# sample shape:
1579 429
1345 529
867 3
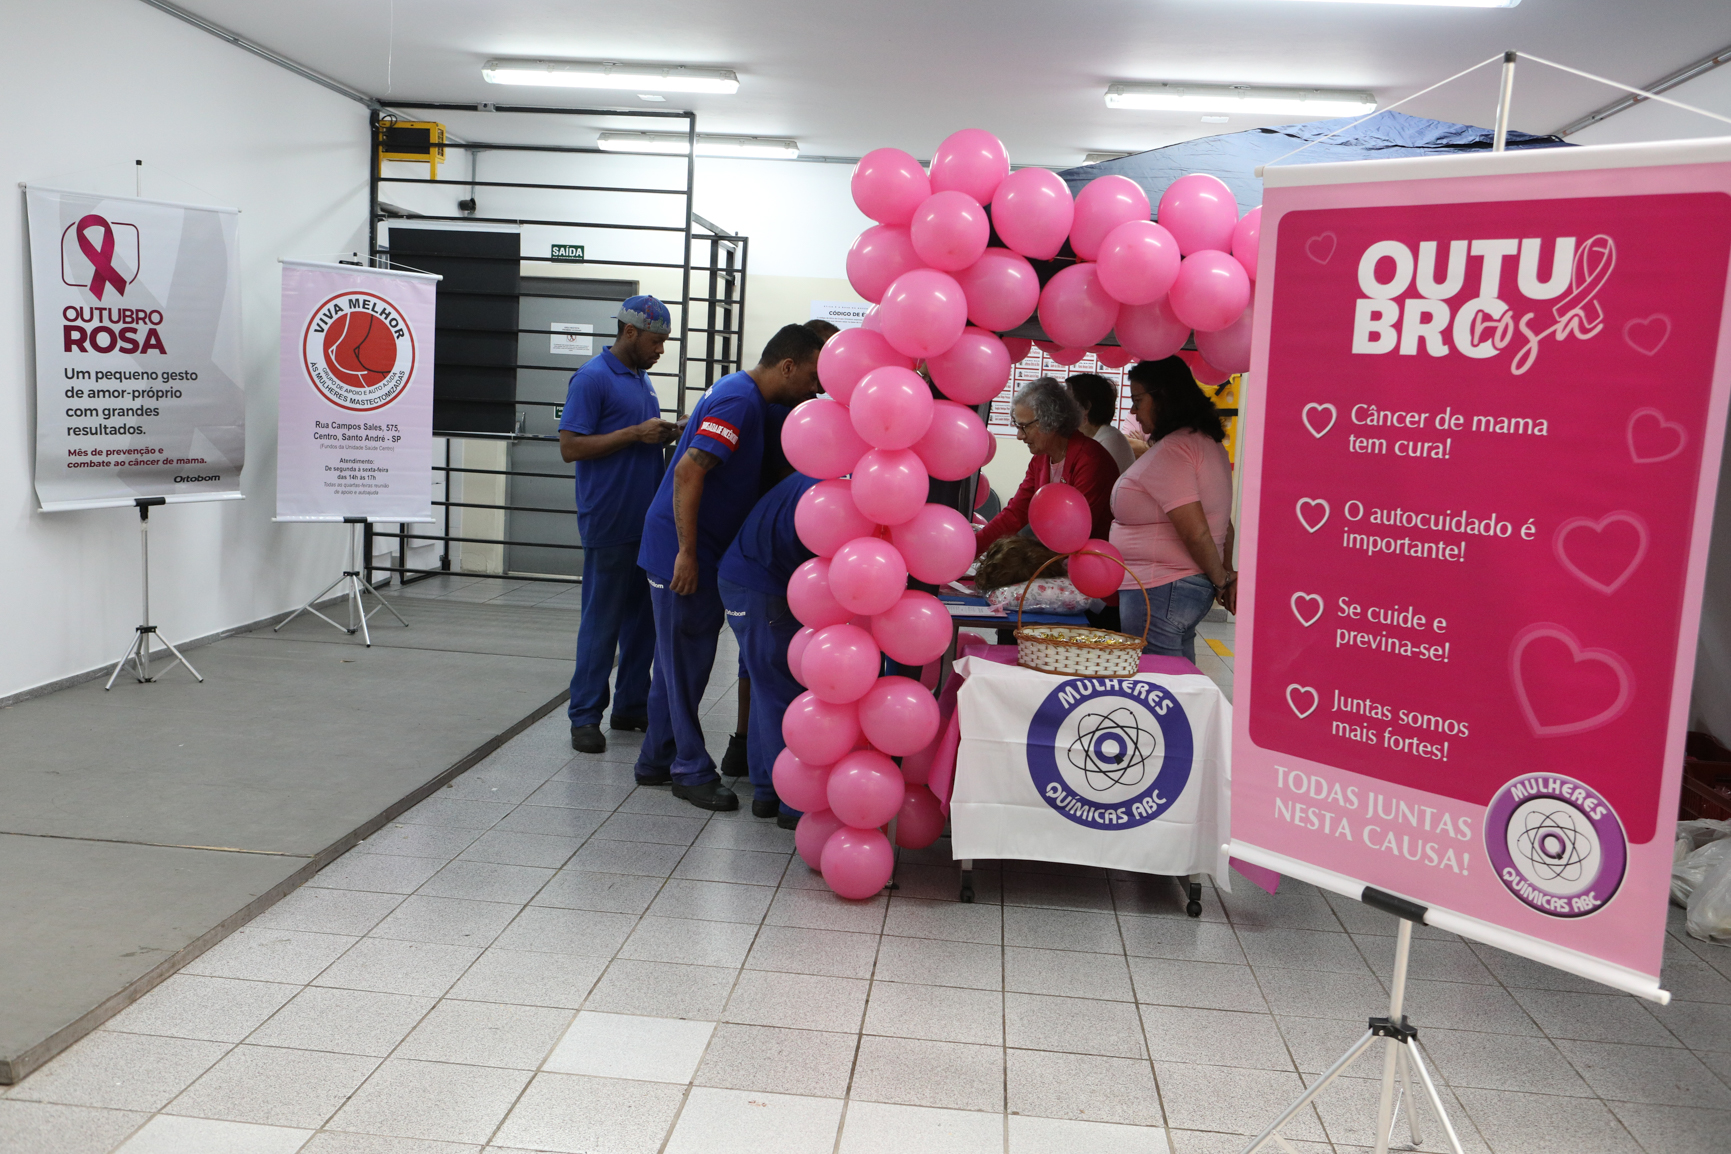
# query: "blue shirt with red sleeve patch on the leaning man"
728 423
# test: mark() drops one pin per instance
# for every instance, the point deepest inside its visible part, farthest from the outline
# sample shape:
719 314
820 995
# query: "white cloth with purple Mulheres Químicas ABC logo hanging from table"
1116 773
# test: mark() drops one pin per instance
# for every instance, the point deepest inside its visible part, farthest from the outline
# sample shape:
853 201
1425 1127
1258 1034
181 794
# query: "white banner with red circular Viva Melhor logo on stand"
356 413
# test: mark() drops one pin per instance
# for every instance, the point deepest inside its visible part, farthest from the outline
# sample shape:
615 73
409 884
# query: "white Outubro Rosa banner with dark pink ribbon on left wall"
138 350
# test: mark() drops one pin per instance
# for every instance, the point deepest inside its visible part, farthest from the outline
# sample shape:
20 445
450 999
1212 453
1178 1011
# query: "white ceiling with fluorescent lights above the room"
844 79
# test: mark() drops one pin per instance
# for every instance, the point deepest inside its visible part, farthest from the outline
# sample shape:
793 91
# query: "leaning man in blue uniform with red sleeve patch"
697 513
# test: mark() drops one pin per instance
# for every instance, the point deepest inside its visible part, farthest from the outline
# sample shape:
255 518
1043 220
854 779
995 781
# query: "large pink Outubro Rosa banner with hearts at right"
1477 497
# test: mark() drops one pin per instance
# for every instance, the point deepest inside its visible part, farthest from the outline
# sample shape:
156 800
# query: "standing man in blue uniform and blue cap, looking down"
614 430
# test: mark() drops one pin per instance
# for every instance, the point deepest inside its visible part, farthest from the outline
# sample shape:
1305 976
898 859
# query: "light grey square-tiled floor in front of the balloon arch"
546 958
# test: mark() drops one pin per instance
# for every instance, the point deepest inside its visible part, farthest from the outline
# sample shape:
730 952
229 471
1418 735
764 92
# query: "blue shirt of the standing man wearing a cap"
614 494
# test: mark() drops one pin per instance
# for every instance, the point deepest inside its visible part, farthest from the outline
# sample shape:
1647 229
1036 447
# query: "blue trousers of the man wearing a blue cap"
617 619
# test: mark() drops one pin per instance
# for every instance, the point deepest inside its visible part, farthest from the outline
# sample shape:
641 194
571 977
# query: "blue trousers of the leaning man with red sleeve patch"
686 631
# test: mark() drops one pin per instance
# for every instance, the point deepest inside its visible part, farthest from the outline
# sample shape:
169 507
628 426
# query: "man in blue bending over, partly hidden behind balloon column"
754 584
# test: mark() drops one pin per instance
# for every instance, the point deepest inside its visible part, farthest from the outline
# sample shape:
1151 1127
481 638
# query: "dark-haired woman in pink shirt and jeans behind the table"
1173 511
